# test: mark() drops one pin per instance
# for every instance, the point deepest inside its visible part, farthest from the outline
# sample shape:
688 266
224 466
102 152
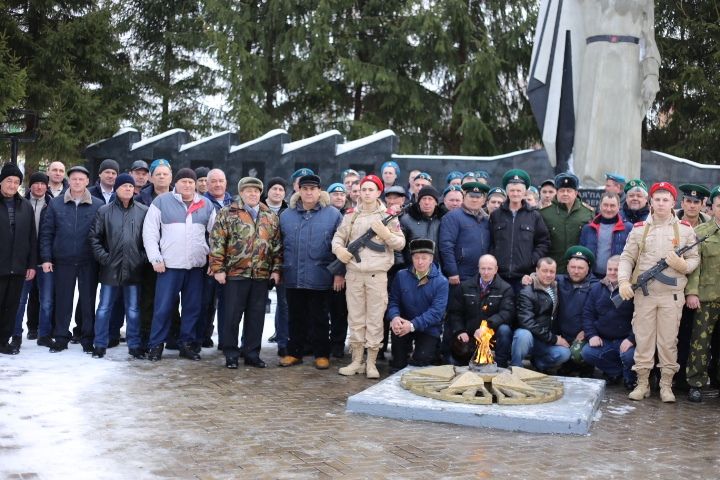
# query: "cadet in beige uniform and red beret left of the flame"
366 281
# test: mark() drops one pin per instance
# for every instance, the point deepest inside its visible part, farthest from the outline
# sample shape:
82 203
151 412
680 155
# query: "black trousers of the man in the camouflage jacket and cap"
244 296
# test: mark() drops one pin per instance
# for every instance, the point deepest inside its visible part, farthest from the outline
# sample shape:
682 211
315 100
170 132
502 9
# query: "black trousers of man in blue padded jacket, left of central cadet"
308 316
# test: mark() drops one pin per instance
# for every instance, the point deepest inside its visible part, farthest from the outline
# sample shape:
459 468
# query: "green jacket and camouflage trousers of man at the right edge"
703 282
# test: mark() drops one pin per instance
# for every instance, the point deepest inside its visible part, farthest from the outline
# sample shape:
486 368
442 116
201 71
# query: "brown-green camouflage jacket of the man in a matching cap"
241 247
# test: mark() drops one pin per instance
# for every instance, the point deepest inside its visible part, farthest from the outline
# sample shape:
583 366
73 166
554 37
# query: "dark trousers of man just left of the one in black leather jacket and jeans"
65 276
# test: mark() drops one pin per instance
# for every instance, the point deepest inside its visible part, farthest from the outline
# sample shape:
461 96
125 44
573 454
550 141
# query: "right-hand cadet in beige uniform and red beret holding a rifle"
657 315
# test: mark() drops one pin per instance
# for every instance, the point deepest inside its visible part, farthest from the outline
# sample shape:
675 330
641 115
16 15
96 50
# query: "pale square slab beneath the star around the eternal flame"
572 414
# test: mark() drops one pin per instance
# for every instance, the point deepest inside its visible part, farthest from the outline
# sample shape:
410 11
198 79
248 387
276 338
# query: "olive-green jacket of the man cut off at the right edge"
704 280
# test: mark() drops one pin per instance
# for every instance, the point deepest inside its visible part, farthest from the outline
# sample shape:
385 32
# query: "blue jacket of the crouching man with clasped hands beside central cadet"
423 302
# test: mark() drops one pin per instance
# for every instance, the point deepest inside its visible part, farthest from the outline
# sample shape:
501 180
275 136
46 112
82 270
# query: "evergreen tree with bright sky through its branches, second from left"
173 72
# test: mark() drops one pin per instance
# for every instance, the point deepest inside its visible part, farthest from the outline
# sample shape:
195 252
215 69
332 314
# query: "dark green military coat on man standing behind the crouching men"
564 228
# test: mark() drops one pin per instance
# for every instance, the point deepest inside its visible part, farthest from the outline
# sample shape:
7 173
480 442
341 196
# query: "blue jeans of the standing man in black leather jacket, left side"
108 298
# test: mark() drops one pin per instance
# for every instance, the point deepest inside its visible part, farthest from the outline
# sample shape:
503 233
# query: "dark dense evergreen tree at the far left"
75 73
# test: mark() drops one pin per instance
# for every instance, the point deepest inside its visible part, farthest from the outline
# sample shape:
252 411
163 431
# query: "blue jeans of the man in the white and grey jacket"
172 283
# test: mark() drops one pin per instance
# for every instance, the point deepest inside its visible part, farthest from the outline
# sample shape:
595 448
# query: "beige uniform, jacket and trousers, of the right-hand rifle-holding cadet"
657 315
